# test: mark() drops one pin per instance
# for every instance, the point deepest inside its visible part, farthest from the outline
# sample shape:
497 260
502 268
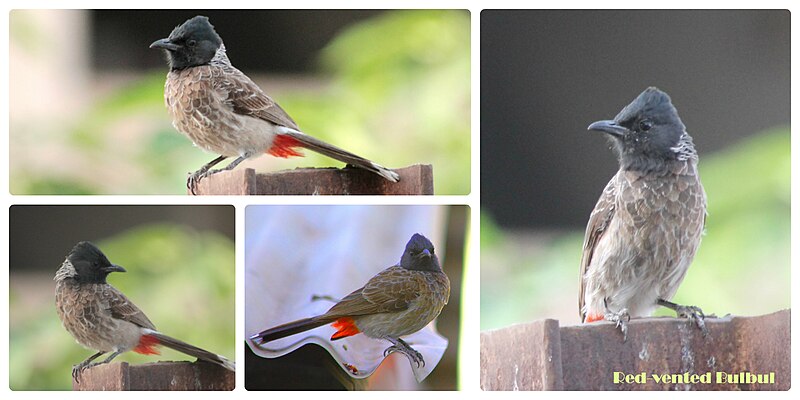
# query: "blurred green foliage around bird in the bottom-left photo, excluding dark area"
181 278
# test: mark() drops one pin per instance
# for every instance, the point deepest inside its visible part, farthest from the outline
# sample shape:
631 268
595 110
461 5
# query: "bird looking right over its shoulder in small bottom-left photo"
103 319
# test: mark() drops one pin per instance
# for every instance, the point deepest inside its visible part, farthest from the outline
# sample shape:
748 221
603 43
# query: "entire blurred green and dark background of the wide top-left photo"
86 93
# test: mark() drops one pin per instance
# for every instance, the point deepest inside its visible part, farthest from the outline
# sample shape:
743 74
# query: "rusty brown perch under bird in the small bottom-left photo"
180 375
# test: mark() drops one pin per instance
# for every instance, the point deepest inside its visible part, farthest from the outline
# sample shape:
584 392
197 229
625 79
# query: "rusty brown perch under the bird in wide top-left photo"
414 180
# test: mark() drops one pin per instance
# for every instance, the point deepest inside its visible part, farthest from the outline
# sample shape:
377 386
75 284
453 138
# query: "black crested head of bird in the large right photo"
646 133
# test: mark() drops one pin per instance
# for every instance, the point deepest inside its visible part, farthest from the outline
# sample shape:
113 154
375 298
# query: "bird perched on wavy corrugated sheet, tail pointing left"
396 302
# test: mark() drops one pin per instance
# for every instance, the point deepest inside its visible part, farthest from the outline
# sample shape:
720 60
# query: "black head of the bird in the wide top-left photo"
191 44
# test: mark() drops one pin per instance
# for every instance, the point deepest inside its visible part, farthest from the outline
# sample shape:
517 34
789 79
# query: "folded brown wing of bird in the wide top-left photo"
246 98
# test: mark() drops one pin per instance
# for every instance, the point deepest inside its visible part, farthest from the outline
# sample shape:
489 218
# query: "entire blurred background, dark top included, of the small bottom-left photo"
180 272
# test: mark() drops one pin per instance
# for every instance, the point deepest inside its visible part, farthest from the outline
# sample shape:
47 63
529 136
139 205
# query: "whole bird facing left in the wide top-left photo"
224 112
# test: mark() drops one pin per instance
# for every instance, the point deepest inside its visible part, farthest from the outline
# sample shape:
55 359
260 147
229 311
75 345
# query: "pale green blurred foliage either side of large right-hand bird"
741 268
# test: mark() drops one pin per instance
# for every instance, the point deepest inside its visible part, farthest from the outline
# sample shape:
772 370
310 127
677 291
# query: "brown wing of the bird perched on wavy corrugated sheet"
391 290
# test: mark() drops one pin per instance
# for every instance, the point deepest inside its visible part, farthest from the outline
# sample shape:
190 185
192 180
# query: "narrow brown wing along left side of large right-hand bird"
598 222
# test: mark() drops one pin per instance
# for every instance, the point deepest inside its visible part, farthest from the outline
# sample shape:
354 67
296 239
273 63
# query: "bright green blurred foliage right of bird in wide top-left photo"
399 95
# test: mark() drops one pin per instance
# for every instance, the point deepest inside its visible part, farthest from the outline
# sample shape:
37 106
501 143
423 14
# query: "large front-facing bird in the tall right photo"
647 225
